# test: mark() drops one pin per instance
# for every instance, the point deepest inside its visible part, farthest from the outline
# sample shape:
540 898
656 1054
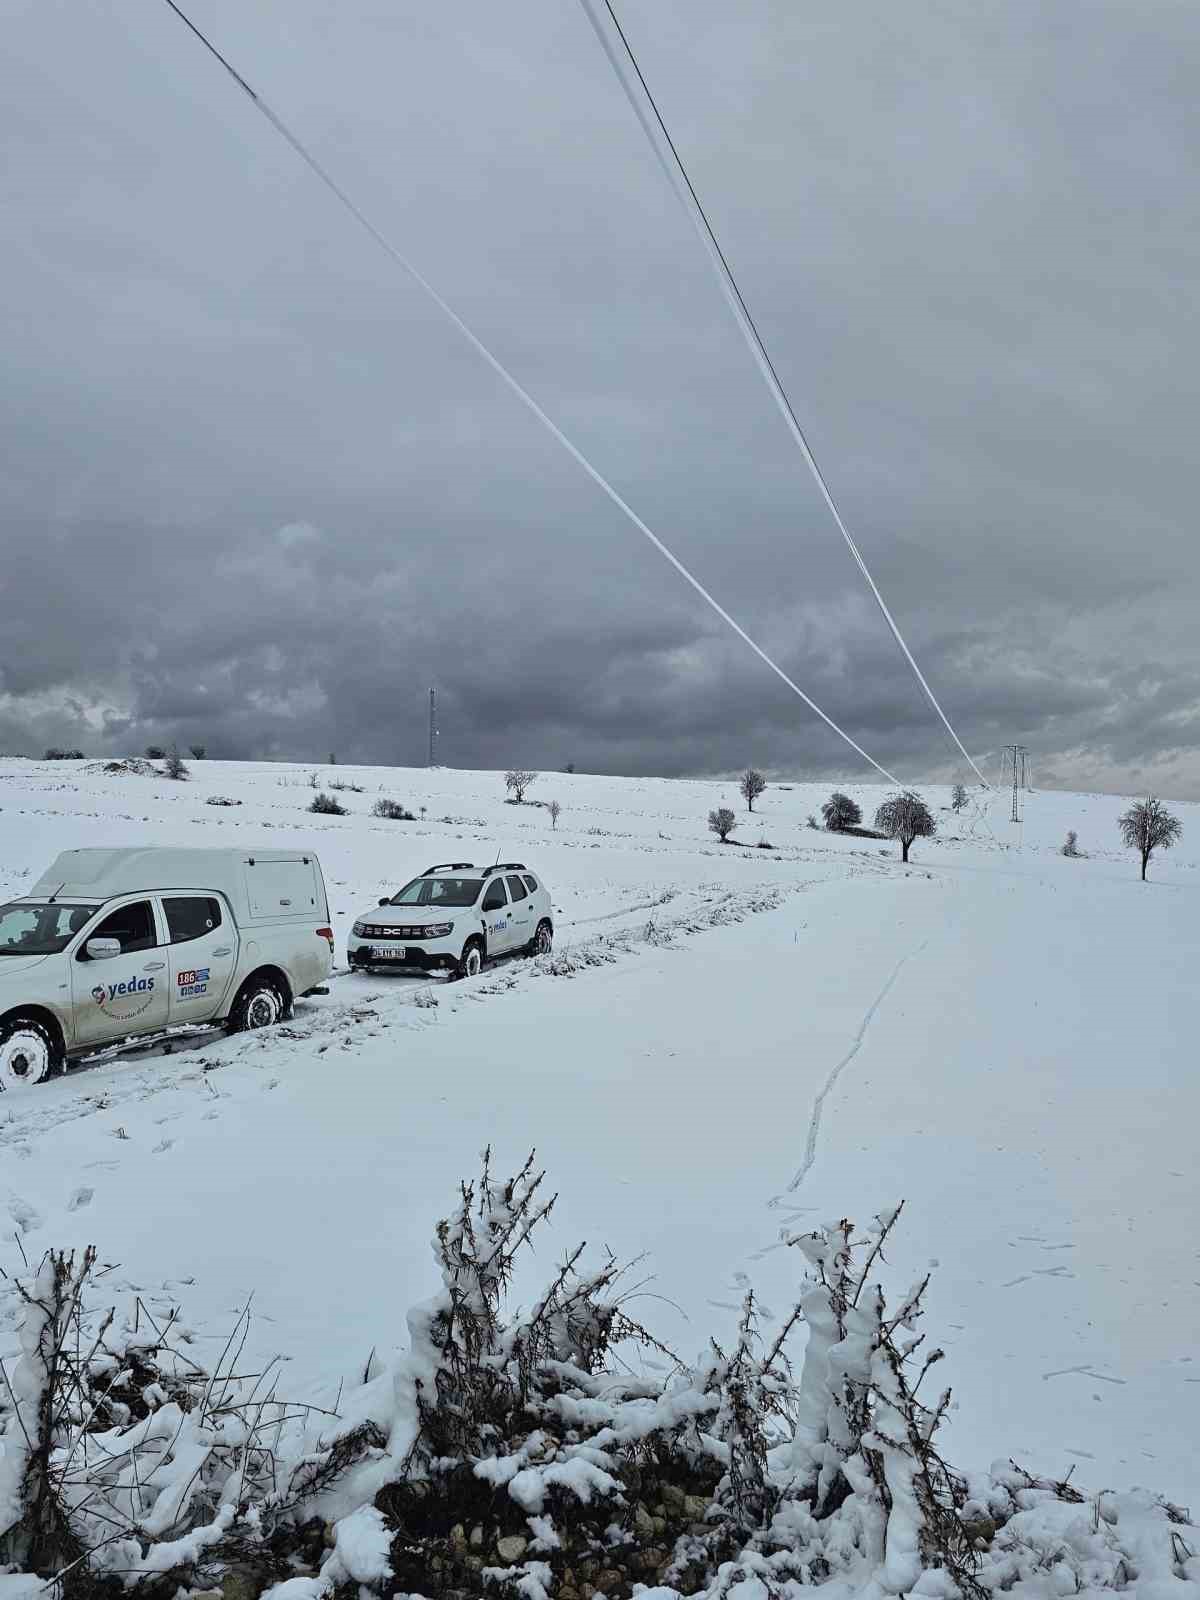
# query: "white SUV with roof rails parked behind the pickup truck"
455 918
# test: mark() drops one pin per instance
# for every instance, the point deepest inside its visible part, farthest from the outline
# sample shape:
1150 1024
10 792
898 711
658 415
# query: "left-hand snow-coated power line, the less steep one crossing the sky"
522 394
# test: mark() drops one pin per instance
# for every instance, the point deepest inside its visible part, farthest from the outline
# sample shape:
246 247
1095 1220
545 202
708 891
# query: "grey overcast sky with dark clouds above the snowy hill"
257 494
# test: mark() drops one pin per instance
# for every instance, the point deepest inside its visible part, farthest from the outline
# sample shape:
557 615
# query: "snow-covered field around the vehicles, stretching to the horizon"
996 1034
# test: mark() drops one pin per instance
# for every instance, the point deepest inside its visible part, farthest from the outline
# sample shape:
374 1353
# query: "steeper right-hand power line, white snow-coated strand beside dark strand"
678 174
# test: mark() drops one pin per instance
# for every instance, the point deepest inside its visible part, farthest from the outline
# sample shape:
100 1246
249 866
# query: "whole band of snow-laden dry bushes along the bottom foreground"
514 1454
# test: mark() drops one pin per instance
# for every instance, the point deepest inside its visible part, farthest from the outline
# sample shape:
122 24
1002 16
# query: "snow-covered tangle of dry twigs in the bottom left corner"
118 1450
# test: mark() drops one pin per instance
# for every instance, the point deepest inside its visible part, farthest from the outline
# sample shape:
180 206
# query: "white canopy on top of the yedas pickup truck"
262 886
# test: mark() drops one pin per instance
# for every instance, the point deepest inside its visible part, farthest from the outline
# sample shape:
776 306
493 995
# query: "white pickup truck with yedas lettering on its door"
113 946
